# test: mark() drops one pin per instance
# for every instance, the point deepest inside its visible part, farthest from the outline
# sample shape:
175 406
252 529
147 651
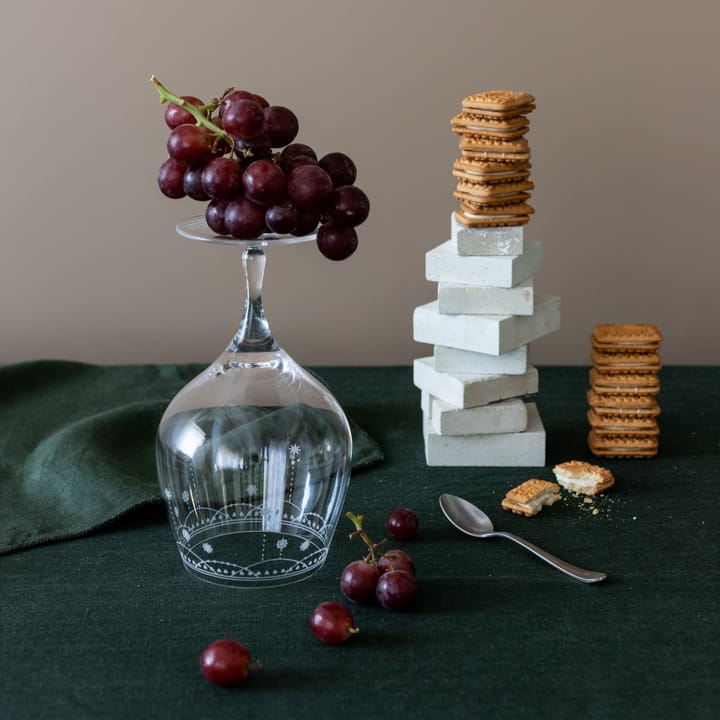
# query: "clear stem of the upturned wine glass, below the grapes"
254 334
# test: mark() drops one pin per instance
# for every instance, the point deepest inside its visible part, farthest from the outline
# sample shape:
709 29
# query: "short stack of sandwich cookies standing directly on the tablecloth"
623 385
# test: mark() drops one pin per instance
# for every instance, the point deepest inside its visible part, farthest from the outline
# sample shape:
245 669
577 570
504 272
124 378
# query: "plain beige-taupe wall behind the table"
626 162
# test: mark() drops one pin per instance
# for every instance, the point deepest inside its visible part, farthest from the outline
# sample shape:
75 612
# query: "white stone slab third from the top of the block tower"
459 299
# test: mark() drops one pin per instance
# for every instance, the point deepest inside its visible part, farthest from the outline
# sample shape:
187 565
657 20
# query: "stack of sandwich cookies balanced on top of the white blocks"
493 171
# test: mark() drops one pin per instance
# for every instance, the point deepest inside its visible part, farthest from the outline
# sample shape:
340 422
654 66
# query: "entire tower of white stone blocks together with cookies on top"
486 313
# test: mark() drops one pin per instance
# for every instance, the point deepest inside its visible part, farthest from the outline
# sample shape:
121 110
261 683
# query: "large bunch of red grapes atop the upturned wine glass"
238 154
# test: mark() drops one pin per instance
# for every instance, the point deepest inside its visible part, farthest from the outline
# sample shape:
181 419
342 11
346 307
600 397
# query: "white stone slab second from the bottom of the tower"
504 416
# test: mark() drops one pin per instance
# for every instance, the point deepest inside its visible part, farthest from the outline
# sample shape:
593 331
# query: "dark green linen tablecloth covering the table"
110 625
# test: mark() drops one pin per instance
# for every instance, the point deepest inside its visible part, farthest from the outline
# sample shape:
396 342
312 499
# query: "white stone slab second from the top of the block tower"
443 264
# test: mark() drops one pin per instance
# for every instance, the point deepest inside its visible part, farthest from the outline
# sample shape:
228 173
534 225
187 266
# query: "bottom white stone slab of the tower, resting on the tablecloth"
524 449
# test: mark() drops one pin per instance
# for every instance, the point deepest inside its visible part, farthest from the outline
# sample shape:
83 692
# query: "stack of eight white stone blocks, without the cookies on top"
474 385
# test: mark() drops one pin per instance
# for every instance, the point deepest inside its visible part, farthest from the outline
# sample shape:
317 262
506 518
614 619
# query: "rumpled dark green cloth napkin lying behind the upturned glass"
77 445
